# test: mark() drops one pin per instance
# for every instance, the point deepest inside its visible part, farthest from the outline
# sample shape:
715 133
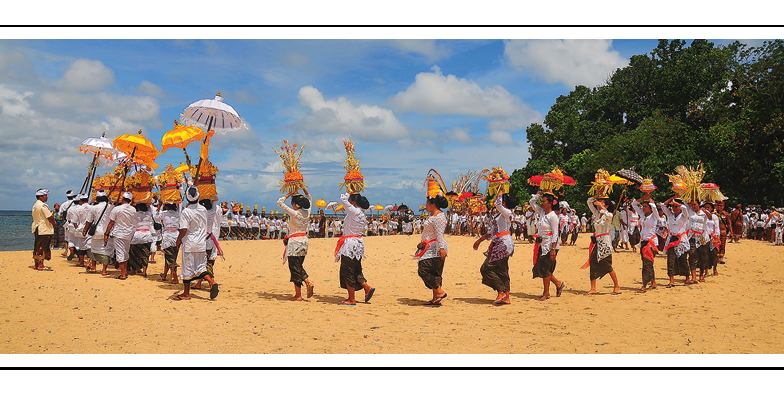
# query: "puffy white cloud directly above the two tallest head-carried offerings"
369 123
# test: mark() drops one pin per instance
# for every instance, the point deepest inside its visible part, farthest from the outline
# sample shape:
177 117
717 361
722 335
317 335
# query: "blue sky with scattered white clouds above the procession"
409 105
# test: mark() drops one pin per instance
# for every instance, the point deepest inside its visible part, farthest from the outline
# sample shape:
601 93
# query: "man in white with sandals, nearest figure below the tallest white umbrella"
192 241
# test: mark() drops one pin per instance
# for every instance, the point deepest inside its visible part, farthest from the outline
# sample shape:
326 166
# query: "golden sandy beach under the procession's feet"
66 311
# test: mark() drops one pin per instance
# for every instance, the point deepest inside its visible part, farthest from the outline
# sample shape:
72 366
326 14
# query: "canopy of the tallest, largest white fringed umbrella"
212 114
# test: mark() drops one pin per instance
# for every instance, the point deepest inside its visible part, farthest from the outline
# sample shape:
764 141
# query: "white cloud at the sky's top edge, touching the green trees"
571 62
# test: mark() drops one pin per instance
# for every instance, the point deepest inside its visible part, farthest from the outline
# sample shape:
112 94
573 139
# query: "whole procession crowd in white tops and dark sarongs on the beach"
692 236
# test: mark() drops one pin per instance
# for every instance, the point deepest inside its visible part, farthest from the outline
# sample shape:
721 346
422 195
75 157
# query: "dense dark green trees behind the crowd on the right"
678 105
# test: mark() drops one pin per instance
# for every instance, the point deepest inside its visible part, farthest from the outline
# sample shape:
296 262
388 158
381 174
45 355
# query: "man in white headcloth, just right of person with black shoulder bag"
122 226
